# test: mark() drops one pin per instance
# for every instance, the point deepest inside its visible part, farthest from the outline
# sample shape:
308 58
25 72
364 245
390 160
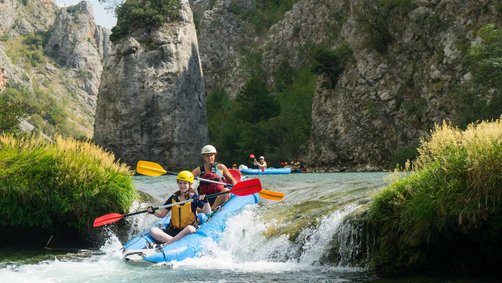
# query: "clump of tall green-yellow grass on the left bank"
68 182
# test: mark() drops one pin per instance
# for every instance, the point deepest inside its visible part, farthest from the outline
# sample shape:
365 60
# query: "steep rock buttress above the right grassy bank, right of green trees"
387 99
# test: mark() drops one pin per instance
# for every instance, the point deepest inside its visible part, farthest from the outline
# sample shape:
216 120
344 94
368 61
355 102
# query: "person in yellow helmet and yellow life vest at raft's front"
184 220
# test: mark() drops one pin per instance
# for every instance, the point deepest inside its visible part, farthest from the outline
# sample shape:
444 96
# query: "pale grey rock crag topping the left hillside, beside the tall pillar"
78 43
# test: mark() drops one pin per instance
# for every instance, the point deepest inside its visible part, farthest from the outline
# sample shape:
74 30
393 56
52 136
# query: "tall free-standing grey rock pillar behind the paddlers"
151 102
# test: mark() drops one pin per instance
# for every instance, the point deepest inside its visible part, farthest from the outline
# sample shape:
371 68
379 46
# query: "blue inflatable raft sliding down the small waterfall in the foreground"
141 248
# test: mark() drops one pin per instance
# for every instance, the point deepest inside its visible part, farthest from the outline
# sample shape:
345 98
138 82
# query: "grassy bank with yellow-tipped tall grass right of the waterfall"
447 215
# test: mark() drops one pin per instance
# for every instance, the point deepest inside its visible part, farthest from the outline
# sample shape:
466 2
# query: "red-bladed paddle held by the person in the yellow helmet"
244 188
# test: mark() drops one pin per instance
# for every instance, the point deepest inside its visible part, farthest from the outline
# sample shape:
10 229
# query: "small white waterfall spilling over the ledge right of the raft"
244 242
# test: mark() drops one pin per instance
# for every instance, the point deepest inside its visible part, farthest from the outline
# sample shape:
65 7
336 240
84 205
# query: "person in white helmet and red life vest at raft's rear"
215 171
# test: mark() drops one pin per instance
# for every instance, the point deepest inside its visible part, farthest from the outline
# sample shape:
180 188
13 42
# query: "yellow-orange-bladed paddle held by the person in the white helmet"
149 168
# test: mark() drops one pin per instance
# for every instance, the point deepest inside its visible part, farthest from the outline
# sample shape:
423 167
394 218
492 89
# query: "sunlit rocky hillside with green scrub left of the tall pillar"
52 62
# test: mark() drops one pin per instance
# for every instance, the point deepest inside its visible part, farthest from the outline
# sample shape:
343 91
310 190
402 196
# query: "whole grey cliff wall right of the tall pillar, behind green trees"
403 72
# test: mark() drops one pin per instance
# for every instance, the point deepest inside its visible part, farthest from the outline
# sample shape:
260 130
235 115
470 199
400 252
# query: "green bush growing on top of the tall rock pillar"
143 14
